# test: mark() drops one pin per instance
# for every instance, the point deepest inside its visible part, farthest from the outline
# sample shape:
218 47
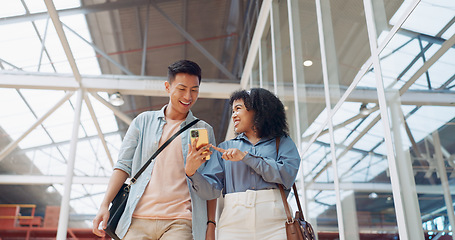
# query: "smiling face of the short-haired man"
183 93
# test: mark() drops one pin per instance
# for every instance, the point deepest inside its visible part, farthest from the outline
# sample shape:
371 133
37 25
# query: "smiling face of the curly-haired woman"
243 119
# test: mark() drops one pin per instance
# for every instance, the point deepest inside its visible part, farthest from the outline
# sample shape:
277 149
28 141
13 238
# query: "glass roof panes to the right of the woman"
399 61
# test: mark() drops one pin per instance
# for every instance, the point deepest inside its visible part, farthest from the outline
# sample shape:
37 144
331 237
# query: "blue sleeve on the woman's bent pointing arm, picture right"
283 169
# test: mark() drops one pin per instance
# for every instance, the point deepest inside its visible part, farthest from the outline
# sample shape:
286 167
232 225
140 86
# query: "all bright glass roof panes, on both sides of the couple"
37 48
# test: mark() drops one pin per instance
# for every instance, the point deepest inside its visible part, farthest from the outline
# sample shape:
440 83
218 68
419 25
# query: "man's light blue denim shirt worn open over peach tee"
140 142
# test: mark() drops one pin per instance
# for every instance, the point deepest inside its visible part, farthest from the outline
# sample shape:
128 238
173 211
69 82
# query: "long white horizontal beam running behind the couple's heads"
210 88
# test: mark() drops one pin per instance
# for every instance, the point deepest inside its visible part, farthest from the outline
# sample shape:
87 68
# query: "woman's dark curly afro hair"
270 117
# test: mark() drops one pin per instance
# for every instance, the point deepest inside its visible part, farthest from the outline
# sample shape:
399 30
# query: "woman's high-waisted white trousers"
253 215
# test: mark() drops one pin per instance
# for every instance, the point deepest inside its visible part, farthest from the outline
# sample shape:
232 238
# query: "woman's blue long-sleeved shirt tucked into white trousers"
262 168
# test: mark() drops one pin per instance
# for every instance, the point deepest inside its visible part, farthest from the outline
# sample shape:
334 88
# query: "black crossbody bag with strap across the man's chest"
119 202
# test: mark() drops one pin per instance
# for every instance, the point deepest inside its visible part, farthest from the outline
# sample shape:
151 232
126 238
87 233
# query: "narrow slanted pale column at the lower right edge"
444 181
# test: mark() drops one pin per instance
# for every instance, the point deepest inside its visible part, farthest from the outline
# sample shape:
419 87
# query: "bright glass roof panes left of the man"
37 48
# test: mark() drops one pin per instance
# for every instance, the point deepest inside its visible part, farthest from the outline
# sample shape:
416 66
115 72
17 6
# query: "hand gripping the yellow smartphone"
196 157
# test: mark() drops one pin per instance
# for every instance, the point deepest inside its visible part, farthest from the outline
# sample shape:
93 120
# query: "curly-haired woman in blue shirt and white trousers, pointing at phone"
249 168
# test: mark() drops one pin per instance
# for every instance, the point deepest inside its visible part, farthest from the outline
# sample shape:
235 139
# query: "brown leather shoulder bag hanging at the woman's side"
297 228
